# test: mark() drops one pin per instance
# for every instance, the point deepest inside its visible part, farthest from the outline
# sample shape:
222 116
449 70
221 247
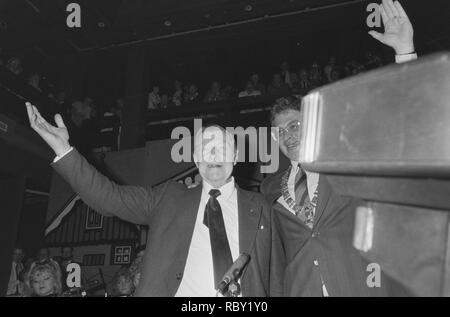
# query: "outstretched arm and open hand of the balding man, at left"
130 203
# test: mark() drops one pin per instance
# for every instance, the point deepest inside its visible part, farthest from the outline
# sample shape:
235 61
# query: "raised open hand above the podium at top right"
398 30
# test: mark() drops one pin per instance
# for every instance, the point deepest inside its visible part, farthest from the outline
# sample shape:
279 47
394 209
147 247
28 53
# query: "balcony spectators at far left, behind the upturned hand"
93 127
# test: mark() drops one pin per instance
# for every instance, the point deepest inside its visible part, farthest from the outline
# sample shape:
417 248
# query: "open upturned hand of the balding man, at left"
56 137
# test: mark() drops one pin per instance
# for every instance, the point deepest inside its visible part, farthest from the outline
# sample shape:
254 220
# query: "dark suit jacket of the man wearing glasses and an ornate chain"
326 252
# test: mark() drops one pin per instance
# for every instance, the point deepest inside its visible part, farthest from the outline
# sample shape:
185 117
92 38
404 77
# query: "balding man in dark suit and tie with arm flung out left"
194 234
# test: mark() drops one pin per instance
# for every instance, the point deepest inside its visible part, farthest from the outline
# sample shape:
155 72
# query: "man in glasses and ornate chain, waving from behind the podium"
316 224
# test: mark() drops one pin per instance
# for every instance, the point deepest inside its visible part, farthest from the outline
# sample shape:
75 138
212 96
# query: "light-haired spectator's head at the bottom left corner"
44 281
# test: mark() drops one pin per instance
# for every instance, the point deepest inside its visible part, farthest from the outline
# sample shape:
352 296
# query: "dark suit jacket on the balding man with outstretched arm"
170 211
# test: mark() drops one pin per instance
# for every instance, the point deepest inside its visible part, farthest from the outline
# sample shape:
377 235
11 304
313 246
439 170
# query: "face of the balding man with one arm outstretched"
215 155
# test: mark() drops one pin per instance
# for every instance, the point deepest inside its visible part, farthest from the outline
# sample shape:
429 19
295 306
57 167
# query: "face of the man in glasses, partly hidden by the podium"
289 133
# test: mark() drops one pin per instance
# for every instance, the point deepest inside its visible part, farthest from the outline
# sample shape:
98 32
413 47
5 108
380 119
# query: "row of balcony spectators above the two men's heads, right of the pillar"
283 83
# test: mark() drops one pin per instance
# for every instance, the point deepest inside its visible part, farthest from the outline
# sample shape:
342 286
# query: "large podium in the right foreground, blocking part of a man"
384 137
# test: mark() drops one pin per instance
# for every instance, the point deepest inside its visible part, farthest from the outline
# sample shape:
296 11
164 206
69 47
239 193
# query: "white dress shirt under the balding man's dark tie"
198 277
